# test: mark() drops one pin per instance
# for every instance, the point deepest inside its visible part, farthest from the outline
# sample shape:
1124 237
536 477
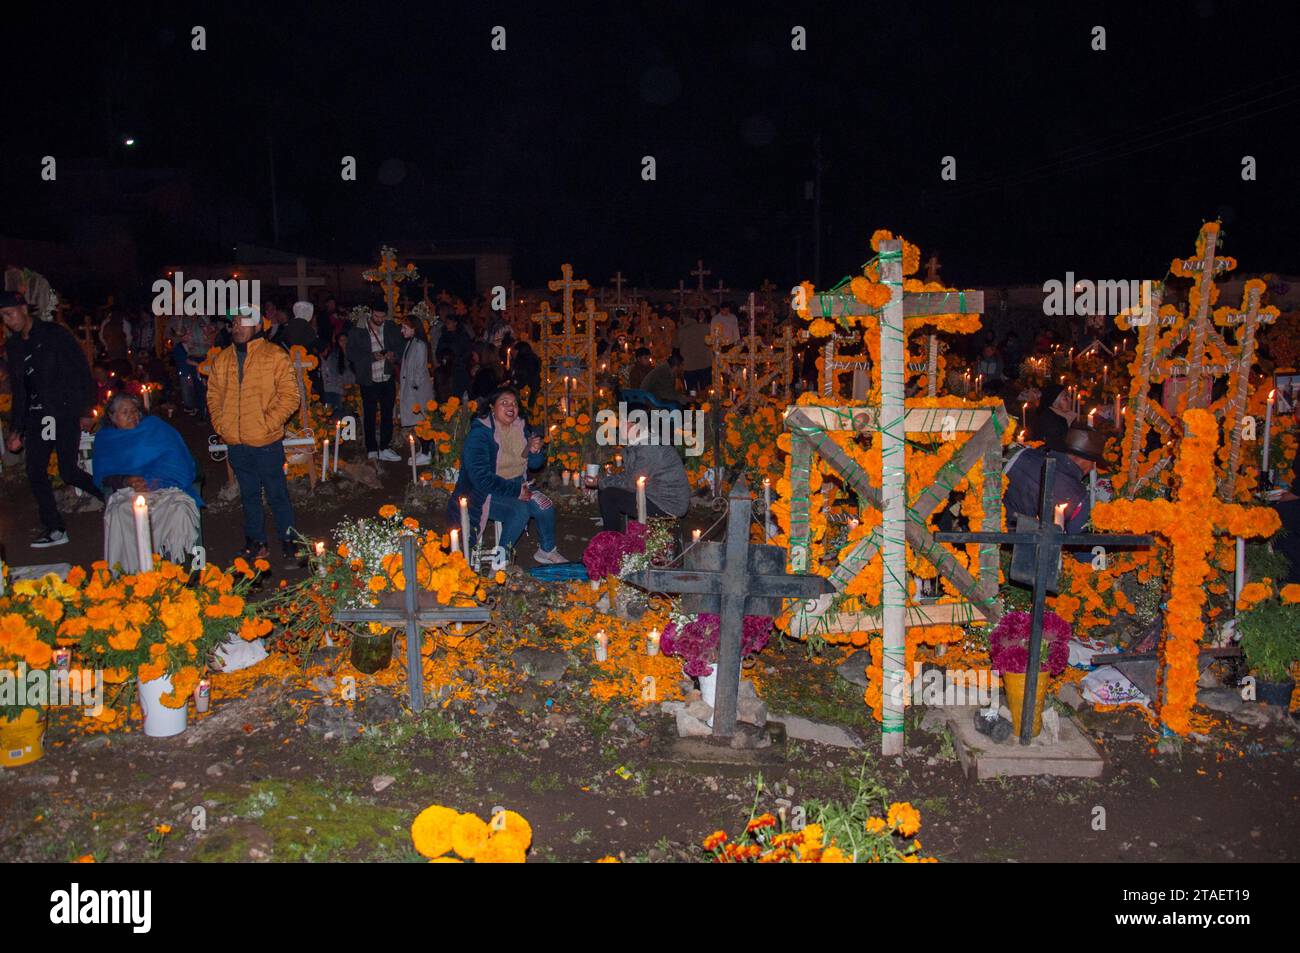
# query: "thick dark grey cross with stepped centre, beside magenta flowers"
743 581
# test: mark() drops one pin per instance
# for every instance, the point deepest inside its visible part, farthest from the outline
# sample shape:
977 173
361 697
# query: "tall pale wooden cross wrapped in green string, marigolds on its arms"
894 491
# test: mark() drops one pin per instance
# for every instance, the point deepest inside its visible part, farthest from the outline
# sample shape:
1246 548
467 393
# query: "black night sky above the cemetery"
1100 163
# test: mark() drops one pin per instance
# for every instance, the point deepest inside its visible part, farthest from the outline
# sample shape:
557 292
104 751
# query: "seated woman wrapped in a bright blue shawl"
137 454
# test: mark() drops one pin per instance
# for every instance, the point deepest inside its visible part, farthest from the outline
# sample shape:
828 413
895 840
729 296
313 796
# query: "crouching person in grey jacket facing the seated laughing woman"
668 488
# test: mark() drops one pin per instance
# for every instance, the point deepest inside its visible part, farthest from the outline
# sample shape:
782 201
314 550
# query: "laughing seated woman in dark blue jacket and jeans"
495 462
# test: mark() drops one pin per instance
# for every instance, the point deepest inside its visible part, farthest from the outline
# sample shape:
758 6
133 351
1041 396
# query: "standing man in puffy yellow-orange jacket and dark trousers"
252 396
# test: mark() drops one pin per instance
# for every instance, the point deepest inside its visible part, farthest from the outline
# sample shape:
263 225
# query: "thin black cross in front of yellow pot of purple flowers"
1046 539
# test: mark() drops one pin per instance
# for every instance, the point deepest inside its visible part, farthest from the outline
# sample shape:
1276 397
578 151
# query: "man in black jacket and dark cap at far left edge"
53 398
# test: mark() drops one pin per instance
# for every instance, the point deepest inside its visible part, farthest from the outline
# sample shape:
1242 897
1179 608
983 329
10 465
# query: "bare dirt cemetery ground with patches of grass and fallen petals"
281 770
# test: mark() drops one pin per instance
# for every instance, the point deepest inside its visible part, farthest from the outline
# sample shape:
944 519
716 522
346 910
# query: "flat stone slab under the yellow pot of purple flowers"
1072 756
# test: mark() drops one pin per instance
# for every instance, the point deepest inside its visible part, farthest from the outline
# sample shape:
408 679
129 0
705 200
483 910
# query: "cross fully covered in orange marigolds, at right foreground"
1194 493
